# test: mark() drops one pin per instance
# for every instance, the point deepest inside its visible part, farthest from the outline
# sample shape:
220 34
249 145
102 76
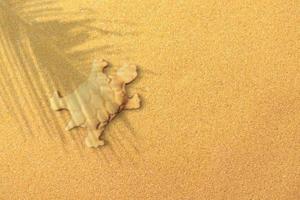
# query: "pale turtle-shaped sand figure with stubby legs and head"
98 100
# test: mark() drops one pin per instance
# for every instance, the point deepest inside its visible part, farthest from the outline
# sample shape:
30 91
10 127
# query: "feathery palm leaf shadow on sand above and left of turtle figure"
36 41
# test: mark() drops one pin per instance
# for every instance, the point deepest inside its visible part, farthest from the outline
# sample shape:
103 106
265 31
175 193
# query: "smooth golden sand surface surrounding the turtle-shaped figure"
219 81
